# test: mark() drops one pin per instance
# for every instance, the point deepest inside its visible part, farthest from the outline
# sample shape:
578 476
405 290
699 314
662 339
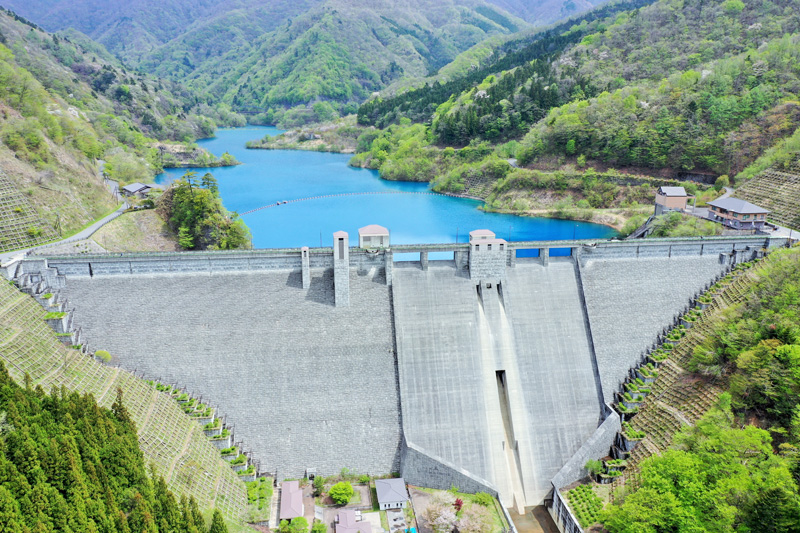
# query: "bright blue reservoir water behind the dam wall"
331 200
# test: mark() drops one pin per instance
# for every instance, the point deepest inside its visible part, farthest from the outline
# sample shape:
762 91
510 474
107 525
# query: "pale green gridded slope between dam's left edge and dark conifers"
170 440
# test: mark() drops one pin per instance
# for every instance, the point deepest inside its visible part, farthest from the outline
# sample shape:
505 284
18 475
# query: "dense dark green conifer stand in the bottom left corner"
67 464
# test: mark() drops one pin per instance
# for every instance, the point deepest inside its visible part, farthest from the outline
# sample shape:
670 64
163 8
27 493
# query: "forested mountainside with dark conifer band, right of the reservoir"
671 87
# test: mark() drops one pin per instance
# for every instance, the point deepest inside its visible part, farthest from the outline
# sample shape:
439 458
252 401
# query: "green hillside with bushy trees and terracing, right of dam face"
733 376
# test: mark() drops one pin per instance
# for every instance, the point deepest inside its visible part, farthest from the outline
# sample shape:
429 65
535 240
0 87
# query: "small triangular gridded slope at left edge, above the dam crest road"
20 225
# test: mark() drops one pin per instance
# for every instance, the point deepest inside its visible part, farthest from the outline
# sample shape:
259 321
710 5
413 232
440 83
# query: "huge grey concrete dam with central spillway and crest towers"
488 371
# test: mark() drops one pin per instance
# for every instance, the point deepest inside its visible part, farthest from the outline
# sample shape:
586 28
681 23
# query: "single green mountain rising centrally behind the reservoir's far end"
344 50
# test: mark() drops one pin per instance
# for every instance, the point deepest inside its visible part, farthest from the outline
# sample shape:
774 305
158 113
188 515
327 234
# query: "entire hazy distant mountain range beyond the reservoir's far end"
269 57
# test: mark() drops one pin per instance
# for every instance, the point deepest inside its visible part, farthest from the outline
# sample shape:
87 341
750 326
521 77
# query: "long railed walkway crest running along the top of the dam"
365 259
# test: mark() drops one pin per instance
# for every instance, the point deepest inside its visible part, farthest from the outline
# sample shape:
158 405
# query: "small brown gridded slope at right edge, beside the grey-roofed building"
778 191
